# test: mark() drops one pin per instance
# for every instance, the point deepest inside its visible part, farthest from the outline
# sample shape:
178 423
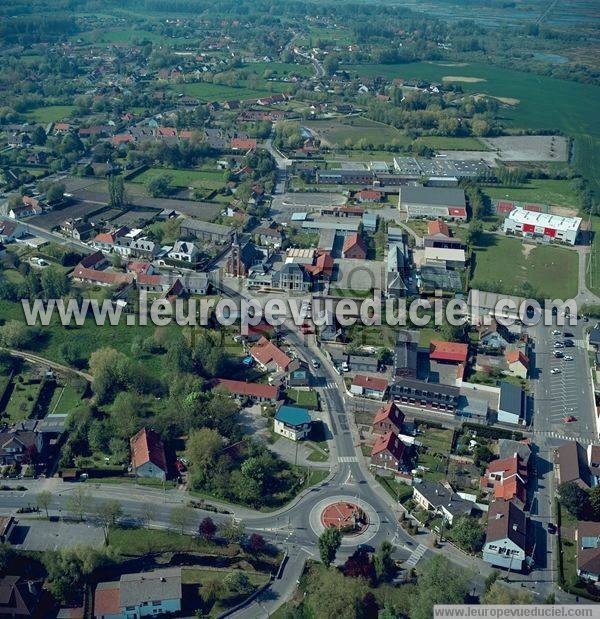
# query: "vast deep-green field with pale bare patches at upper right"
544 102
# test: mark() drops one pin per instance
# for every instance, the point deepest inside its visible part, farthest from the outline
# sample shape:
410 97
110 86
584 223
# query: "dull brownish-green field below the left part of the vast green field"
355 130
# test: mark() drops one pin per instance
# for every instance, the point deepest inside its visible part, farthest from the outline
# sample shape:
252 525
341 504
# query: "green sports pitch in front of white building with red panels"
501 263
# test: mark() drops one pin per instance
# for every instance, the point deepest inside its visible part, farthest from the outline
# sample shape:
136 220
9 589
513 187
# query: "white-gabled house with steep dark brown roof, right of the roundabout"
506 536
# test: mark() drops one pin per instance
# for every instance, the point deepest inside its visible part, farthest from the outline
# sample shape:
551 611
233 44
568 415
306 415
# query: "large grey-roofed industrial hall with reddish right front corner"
433 203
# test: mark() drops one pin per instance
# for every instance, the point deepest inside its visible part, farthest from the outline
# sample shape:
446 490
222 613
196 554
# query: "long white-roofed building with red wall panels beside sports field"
533 224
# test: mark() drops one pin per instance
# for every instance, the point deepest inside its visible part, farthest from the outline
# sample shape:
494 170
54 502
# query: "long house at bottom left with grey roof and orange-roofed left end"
140 595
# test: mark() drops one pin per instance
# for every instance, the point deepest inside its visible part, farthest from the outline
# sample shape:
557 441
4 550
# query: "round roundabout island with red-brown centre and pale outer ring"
357 519
